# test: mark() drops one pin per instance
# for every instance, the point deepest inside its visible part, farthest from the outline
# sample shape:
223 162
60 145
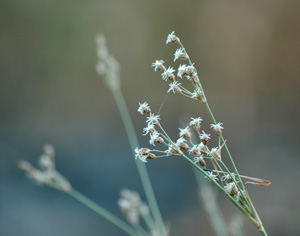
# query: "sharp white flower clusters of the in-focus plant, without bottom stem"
185 146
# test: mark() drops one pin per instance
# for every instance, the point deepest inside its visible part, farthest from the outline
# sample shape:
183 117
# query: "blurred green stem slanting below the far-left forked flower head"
102 212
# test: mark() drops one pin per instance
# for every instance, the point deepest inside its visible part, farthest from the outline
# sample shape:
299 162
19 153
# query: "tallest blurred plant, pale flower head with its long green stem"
108 68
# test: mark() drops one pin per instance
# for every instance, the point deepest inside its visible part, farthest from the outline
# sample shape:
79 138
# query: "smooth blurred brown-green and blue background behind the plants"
247 54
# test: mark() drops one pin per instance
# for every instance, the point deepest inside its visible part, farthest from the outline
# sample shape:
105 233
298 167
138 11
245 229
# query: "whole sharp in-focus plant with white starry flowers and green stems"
198 153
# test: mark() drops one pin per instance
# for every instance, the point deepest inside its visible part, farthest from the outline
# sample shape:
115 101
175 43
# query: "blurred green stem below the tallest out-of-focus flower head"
133 141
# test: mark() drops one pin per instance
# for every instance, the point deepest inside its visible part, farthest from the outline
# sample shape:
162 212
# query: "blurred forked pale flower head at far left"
47 173
